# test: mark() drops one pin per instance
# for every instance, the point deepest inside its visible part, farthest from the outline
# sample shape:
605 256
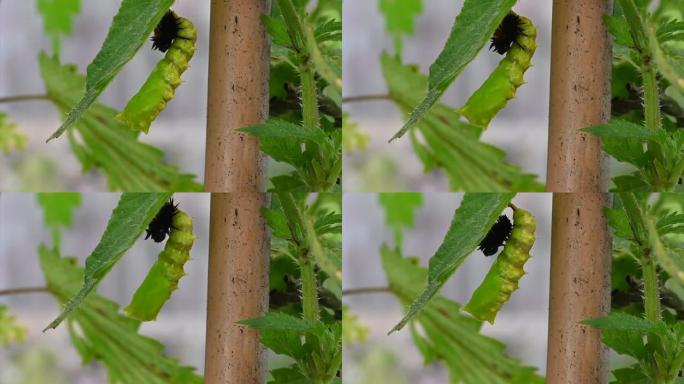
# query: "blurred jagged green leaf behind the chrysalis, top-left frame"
100 140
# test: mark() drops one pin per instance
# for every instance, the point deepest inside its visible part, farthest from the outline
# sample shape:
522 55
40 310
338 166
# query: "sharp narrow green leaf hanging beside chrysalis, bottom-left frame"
129 219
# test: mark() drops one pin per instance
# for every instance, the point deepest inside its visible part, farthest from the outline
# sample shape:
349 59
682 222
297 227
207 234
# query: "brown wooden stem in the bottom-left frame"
239 252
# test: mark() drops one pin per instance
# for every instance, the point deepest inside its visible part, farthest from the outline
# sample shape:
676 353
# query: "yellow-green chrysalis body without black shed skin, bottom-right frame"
503 276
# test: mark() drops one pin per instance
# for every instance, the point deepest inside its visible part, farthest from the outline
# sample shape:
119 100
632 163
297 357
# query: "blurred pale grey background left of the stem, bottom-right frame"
521 324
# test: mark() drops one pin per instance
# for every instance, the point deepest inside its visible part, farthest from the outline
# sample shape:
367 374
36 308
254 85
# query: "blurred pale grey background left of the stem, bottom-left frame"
180 325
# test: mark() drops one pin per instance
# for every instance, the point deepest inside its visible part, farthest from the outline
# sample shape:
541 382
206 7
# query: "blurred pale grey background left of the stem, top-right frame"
520 129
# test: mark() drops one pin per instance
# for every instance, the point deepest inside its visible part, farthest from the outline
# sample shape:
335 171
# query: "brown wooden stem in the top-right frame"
581 62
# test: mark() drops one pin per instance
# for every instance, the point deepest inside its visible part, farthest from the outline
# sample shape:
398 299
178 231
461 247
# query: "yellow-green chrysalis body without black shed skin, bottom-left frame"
163 277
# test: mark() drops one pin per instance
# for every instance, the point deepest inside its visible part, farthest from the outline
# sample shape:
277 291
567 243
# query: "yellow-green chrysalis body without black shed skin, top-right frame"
503 82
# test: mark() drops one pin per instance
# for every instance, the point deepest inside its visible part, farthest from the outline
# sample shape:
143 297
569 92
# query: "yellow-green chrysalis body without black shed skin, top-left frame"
160 86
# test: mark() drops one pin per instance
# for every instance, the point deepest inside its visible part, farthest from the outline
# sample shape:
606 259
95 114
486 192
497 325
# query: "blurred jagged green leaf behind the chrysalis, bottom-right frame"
443 333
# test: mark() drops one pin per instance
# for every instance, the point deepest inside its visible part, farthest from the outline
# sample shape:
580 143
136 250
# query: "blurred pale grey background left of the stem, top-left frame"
179 130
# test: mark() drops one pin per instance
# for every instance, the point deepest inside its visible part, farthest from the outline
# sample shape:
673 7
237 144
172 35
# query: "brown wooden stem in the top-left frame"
239 63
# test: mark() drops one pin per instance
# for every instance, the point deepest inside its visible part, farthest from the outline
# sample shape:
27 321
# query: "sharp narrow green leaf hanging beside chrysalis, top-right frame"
476 22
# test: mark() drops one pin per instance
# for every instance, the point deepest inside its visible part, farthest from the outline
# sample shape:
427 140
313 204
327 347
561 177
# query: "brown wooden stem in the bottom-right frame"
580 288
